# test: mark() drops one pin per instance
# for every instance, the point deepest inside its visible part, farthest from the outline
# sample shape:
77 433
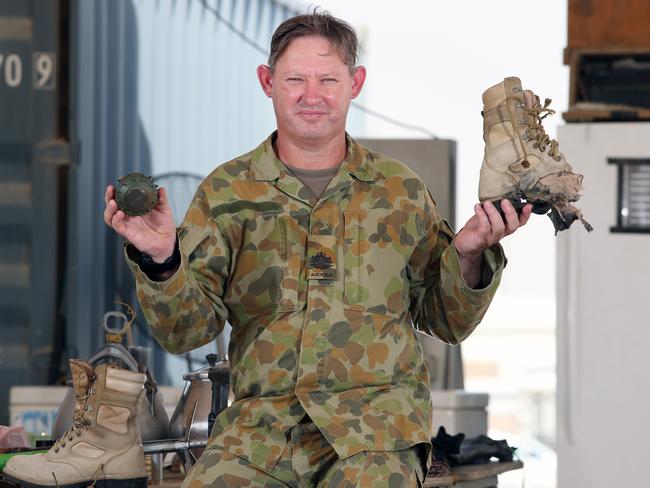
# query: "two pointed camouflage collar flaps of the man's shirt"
265 165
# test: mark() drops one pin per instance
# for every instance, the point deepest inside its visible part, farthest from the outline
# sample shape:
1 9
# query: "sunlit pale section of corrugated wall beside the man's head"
200 101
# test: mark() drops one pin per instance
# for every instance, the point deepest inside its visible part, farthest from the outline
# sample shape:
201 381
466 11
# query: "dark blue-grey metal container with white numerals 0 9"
33 160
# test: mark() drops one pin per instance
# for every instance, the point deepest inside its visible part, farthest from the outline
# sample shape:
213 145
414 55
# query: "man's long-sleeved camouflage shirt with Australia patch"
322 295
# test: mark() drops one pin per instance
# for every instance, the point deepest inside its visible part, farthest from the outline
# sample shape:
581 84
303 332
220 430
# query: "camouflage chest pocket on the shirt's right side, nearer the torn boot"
376 248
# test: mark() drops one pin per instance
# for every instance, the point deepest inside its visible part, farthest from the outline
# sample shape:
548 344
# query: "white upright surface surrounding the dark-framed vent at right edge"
603 321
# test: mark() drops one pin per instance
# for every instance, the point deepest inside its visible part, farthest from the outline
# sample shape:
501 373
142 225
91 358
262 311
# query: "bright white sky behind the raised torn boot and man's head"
428 64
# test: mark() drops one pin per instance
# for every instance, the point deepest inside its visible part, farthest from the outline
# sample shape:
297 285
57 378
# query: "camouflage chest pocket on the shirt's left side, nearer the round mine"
267 269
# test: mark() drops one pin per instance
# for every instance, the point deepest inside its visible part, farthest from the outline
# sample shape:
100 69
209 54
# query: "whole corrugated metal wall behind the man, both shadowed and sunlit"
158 86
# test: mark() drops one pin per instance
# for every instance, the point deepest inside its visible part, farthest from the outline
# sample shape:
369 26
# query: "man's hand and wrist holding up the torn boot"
484 229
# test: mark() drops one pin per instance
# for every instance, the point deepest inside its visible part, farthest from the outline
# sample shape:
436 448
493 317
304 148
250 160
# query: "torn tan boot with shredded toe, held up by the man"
521 162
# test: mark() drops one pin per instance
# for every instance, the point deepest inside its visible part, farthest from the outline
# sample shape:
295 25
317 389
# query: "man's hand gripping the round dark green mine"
153 233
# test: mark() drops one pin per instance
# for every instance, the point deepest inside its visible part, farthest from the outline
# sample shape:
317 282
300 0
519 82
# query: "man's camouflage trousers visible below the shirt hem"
309 460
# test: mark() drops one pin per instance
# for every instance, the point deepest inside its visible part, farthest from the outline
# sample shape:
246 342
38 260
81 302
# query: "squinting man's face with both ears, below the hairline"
311 88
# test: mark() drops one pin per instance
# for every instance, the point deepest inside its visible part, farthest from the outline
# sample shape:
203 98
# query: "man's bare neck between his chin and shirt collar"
311 154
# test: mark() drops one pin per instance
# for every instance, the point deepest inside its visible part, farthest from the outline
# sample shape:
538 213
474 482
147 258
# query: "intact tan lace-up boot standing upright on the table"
102 447
